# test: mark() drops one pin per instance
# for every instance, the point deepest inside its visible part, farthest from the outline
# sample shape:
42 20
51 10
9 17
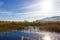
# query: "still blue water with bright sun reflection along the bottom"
29 33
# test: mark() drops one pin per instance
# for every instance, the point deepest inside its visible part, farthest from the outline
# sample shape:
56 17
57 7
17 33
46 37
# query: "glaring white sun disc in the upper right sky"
46 5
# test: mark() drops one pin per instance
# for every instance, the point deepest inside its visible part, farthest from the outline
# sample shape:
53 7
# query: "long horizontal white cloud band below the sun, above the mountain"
41 14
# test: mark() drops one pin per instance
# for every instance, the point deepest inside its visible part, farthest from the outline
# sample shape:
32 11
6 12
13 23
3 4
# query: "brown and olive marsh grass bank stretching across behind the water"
50 26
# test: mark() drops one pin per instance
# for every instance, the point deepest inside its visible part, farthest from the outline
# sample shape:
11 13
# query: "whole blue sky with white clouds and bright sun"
30 10
